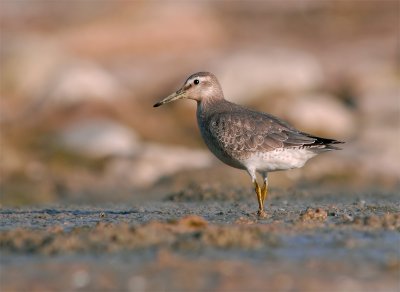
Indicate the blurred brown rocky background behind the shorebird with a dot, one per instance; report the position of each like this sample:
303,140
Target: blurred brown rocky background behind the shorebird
79,78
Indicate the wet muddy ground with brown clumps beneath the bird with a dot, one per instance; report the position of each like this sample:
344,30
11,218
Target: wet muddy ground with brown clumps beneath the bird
327,240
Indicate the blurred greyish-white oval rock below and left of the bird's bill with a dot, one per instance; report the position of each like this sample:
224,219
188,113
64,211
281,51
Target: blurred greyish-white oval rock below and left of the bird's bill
99,138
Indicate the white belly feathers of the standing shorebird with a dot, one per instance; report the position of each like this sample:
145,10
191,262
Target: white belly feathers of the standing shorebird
279,159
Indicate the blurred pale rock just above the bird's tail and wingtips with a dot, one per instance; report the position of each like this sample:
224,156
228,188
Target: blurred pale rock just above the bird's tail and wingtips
318,114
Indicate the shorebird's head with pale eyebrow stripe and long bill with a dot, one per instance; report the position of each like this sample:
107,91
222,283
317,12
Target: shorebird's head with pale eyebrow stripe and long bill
201,87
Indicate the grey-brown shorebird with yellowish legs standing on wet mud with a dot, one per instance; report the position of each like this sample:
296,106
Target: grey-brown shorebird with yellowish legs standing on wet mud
247,139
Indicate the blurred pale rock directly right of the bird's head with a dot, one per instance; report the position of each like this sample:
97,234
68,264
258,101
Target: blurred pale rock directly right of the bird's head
248,74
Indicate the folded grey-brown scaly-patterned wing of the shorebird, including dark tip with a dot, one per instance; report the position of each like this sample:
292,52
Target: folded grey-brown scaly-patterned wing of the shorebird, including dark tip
253,131
